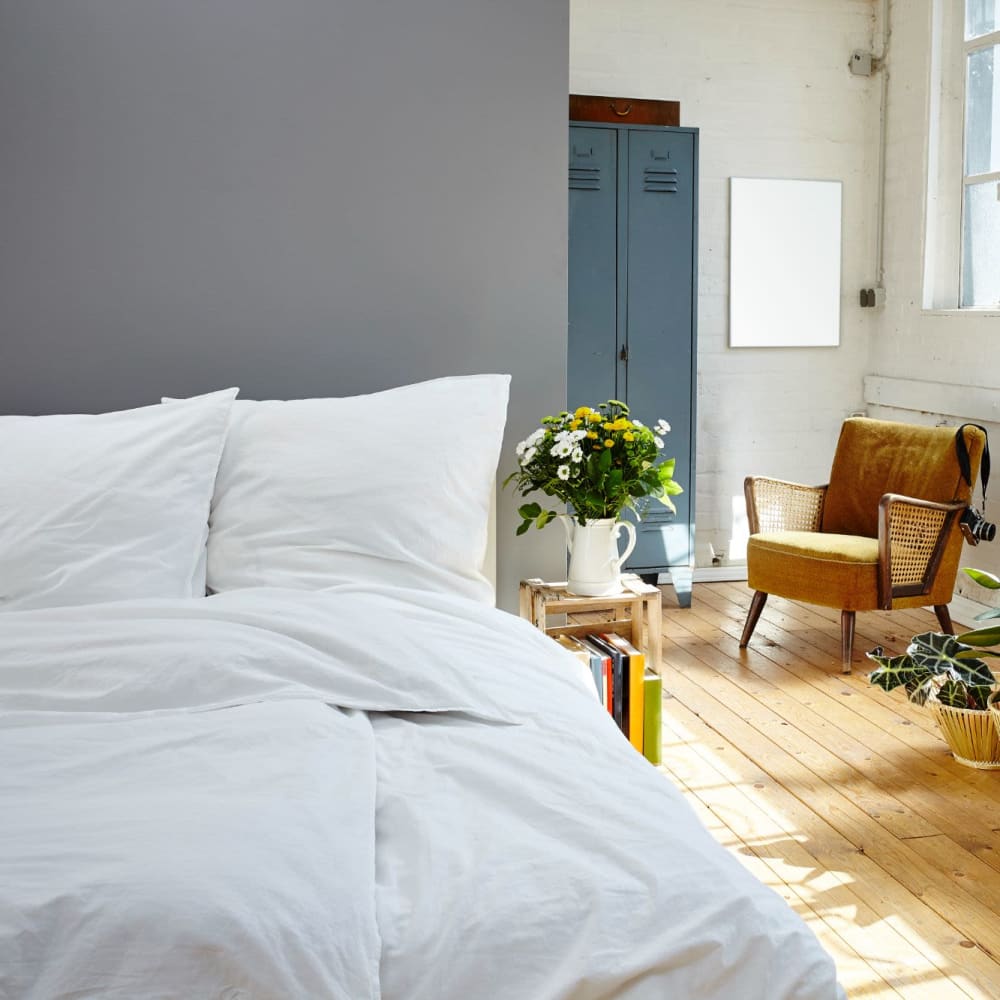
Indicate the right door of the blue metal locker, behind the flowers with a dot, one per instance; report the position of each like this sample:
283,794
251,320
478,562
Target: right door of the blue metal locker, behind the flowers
660,265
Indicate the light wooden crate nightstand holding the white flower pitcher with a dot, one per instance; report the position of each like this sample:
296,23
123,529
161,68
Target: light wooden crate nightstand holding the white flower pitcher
633,612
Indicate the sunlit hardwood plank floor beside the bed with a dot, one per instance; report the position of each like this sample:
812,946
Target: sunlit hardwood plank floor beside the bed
841,797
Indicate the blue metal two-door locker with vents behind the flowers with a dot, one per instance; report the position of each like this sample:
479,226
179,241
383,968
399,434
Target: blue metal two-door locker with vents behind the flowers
633,199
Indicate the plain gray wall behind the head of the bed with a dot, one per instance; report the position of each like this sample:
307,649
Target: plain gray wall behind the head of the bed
299,197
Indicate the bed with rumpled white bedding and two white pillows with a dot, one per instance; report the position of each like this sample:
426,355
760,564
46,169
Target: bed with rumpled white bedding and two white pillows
343,773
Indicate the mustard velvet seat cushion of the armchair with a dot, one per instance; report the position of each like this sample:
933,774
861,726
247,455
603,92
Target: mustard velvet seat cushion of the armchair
837,571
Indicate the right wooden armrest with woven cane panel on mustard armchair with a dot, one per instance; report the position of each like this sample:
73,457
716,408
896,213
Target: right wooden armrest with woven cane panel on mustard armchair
912,535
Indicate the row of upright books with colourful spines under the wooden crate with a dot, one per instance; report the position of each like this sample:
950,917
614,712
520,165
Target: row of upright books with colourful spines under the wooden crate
625,686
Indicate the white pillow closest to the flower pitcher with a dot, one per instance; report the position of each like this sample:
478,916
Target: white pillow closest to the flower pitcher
392,488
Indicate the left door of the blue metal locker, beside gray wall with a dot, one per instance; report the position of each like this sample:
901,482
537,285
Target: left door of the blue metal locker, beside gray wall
593,265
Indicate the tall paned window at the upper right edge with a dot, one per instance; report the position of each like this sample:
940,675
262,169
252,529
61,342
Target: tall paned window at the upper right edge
980,268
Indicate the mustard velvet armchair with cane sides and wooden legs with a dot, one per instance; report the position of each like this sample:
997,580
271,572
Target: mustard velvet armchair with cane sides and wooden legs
883,534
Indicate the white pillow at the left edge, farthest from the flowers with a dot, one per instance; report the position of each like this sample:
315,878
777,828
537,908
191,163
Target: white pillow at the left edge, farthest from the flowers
108,506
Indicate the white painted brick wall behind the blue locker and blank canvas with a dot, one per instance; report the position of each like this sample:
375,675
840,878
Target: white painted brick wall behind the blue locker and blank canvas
767,83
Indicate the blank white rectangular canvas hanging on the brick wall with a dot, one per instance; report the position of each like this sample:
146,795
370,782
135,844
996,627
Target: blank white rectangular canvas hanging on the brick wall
784,263
